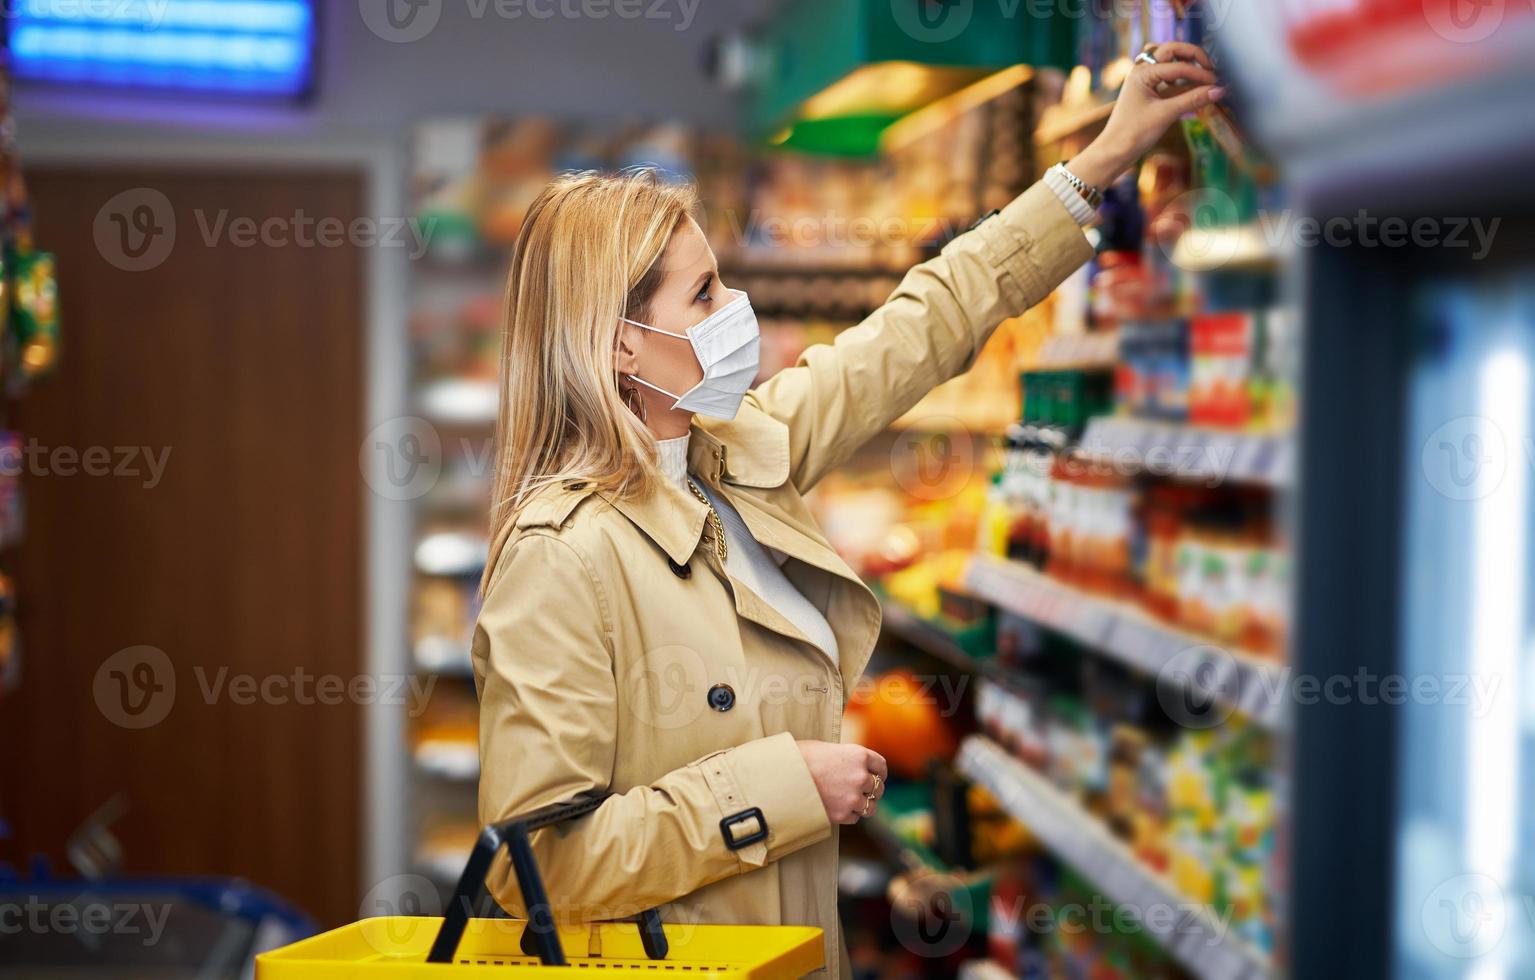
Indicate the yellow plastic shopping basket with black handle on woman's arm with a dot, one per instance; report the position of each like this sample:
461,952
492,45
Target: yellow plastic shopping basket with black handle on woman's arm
457,947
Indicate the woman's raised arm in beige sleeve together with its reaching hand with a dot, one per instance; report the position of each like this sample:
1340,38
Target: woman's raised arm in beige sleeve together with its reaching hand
842,396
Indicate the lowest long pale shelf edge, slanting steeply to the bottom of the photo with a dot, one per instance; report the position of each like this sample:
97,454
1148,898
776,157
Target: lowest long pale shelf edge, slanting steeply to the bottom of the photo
1193,936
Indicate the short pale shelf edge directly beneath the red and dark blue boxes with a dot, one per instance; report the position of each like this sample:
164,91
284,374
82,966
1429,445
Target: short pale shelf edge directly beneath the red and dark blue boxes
1187,452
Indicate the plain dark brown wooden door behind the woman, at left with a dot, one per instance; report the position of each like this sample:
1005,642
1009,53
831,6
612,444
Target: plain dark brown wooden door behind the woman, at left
222,374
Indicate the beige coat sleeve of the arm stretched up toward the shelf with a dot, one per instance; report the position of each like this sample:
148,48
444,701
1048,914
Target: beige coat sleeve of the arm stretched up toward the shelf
929,331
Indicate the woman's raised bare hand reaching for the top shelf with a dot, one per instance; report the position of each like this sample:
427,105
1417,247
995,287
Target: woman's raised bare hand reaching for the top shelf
1152,99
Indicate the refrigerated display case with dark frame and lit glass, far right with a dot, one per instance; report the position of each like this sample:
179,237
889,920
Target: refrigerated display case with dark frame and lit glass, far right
1413,847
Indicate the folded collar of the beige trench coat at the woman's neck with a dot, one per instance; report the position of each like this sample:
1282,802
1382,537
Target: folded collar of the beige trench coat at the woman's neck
751,451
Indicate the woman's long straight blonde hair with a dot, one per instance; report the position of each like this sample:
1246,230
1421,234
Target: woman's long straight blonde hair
589,254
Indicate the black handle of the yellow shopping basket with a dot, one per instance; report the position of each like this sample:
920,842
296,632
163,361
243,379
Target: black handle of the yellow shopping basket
540,938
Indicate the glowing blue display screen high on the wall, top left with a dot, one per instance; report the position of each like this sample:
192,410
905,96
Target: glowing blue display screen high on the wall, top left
222,47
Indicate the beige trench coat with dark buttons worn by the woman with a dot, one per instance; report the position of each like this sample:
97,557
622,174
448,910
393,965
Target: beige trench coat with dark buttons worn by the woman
609,623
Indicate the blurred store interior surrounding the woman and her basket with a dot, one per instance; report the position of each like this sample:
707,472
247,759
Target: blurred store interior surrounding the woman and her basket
1207,624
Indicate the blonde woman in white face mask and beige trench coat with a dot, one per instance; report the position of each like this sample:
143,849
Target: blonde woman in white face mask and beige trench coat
662,620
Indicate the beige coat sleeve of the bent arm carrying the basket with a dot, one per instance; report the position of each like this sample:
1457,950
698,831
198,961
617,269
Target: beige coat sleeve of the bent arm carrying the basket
549,732
